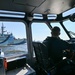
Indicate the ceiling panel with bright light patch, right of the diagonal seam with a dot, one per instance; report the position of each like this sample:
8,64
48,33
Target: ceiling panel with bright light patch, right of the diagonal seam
55,6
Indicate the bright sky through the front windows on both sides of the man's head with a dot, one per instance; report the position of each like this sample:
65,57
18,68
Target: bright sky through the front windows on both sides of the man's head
41,31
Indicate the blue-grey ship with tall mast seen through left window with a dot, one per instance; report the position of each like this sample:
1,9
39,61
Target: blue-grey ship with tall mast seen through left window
8,38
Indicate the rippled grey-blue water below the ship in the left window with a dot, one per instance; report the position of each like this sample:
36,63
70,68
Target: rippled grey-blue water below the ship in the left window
14,50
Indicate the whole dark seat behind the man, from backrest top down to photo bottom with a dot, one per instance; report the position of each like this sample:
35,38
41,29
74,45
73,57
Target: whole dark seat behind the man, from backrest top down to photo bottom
42,59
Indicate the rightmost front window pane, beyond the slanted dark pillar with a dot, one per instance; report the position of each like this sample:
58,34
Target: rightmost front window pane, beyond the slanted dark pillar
70,26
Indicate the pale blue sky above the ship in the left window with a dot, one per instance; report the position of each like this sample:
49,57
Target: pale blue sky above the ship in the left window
17,28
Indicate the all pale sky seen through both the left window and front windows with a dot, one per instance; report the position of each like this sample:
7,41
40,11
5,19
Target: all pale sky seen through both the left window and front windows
19,31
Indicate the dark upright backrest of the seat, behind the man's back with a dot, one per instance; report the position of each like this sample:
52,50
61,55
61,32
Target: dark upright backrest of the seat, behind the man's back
41,54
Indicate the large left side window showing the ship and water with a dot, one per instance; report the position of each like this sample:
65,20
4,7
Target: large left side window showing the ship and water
13,38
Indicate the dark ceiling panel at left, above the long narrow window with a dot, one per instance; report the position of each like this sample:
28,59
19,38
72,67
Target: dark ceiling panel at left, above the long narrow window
10,5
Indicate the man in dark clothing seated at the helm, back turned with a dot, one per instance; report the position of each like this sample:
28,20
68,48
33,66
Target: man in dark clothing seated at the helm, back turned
55,45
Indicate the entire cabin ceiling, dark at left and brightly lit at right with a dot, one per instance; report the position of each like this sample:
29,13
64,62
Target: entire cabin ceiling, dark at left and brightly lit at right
37,6
